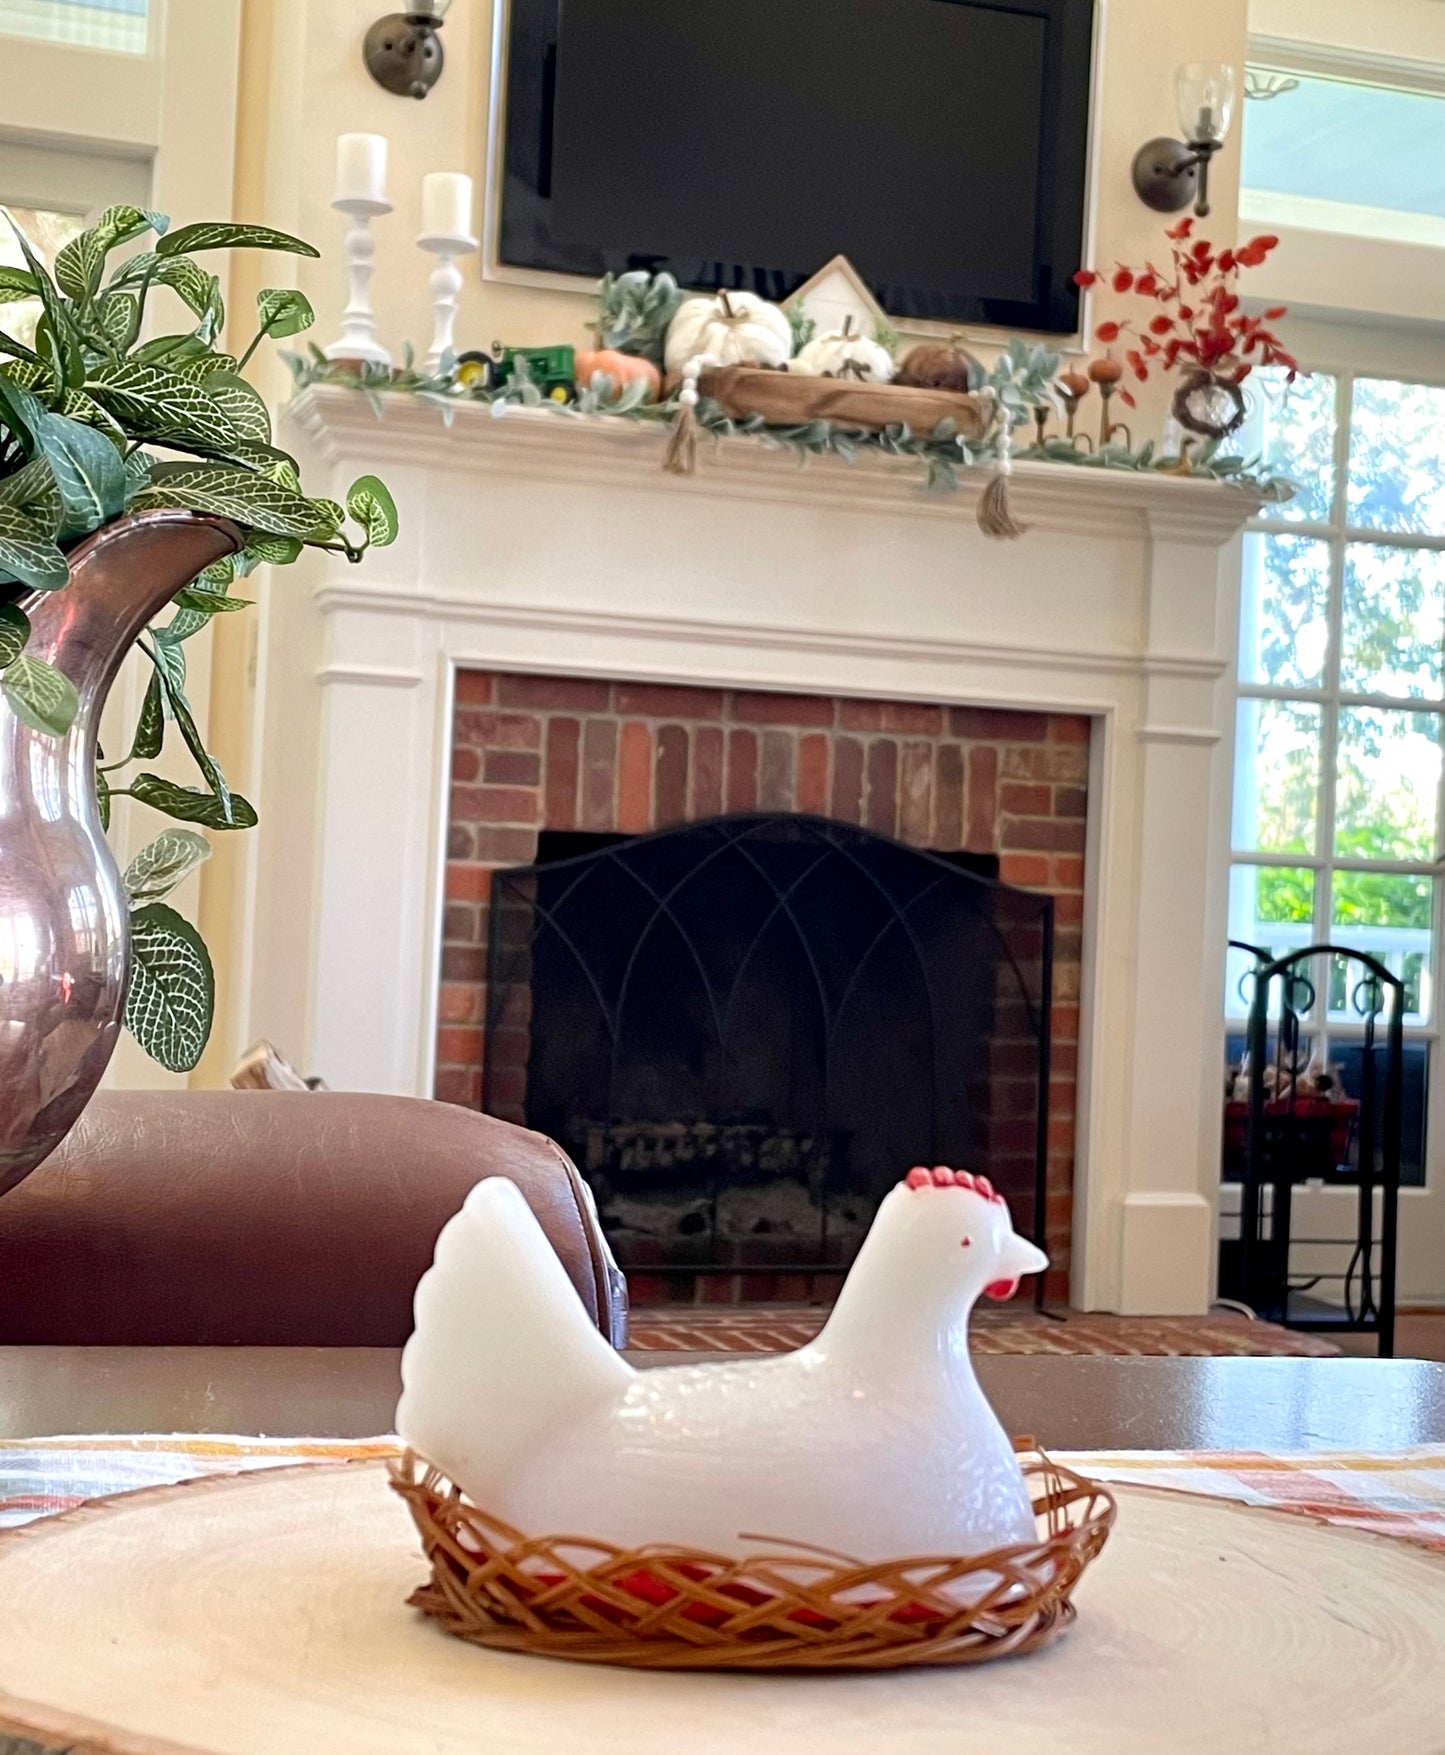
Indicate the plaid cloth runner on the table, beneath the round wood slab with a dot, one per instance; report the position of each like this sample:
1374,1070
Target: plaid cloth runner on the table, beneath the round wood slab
1390,1493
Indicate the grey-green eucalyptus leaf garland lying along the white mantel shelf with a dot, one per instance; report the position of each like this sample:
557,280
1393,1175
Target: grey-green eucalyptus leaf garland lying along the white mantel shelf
1021,382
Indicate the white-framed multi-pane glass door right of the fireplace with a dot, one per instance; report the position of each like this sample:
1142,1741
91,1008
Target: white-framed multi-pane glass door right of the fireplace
1342,692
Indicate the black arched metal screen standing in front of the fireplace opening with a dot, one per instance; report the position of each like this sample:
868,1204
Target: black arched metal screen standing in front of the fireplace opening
745,1031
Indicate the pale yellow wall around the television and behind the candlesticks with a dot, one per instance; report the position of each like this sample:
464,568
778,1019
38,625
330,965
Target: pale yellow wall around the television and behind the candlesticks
303,85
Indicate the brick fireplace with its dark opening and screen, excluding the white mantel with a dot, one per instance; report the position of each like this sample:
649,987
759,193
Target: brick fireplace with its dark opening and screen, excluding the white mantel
749,957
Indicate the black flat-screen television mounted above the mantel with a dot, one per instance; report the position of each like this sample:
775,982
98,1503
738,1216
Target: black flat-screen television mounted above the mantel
940,145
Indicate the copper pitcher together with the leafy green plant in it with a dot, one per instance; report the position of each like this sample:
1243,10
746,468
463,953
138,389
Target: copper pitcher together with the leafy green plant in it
133,475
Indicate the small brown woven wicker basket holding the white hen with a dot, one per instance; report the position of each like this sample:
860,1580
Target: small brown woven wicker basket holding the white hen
680,1608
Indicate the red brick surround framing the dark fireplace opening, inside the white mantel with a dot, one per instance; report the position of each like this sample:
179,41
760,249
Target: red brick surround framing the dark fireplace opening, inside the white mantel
549,752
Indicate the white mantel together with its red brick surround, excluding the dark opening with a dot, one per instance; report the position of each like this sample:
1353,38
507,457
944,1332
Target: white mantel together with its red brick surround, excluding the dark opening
605,648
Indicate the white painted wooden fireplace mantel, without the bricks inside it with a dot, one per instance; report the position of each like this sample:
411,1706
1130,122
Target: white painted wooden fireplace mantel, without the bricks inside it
554,543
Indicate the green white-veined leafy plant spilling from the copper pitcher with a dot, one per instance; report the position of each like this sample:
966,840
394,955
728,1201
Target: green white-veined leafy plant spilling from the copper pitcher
99,424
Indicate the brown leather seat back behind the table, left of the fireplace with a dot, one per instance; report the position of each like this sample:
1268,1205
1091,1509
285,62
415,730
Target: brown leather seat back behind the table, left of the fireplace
268,1219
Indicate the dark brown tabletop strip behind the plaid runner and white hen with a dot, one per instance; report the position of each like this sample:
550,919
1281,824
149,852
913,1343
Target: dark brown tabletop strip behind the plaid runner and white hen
1067,1403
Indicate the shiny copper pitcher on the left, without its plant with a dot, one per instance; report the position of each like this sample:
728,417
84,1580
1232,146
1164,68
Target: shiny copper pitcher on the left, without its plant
64,915
